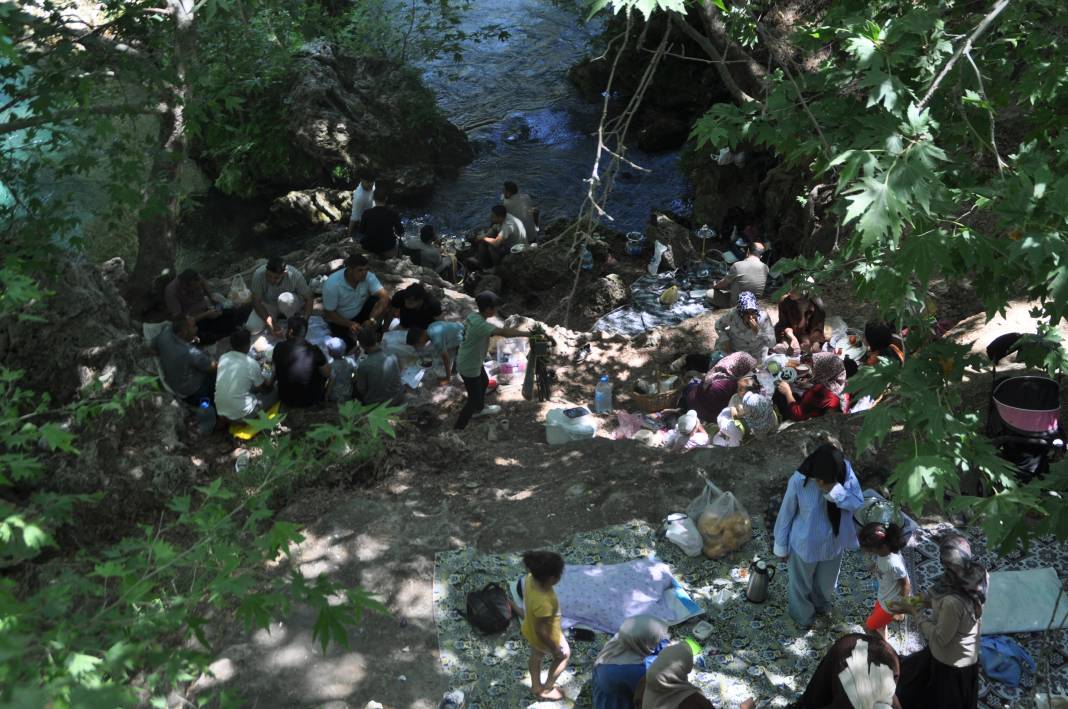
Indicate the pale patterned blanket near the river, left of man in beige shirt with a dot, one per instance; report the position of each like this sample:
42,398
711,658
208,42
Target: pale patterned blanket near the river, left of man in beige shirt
646,311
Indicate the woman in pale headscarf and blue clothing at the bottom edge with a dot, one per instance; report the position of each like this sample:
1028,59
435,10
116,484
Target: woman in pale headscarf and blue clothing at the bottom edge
624,660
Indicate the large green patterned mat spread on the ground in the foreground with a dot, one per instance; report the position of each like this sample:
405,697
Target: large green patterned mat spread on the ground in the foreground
755,651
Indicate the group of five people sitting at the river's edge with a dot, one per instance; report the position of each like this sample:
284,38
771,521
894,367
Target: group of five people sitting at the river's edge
514,222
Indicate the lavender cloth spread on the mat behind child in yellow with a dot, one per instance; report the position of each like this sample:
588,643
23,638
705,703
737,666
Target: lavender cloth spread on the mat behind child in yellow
601,598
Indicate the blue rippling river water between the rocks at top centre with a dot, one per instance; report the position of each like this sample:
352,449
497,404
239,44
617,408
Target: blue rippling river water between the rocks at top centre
536,129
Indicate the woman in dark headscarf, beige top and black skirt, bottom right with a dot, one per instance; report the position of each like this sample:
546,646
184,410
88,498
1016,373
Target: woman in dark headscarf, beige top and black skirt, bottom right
947,673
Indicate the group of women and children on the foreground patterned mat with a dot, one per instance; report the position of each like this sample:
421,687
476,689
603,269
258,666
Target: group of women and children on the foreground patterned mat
823,515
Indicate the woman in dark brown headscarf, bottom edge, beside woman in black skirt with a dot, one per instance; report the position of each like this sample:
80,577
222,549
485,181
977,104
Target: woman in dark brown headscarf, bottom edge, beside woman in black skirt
858,672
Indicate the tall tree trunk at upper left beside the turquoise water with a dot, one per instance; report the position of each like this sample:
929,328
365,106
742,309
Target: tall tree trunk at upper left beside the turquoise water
158,226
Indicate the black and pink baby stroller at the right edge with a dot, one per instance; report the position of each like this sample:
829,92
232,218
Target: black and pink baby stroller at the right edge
1024,417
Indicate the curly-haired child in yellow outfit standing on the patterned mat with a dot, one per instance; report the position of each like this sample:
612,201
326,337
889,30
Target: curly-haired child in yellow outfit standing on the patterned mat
542,622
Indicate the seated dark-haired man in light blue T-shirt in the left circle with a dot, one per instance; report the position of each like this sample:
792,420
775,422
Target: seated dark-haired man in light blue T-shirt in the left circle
353,298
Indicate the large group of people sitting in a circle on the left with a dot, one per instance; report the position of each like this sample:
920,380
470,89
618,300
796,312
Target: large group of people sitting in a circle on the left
355,307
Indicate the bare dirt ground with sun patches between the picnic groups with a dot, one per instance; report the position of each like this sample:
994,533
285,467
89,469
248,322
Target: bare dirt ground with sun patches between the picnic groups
449,491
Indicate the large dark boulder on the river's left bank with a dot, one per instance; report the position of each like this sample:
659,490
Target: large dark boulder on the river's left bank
365,114
